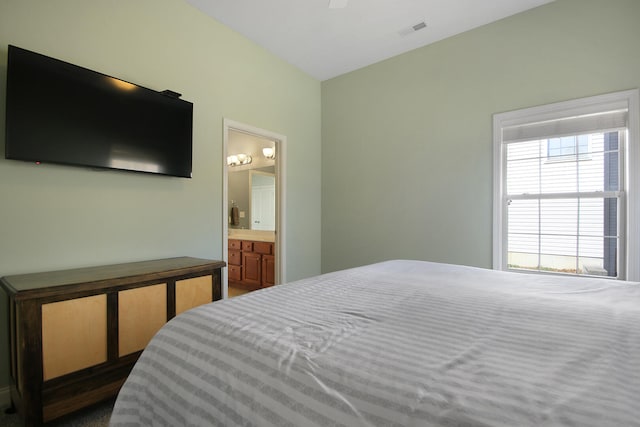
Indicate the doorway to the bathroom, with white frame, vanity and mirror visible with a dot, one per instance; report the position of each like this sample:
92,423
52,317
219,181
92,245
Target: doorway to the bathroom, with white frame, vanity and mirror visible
253,208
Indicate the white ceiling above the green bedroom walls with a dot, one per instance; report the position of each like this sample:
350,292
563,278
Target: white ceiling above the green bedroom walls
326,42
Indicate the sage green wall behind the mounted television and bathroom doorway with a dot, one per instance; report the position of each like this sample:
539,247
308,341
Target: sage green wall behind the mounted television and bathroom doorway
56,217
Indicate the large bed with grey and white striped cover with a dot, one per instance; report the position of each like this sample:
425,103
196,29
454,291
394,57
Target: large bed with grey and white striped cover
398,343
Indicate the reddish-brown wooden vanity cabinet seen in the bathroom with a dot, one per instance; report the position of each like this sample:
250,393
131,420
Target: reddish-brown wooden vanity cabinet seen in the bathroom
251,264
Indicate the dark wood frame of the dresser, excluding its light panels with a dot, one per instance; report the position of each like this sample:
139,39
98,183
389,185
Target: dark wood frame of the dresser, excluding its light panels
40,401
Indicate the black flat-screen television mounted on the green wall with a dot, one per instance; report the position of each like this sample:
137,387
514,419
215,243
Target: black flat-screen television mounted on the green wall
61,113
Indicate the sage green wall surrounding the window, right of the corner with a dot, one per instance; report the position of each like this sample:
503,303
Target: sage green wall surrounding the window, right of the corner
407,143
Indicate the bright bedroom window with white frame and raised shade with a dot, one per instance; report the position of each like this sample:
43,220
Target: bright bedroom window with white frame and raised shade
565,196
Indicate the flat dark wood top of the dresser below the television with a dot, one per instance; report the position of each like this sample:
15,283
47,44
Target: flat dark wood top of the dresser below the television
142,270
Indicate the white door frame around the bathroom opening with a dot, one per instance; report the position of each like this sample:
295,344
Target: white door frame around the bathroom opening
280,233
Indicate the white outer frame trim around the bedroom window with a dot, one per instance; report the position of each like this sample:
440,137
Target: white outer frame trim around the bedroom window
629,99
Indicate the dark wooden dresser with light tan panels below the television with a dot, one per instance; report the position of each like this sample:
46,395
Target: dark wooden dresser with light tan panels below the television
76,334
